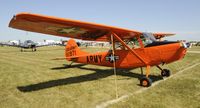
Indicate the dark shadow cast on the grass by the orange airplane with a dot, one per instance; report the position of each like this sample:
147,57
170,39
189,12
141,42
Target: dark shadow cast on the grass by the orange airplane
98,74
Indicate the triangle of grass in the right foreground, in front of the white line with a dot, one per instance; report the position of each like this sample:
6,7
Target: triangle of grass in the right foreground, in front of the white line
178,92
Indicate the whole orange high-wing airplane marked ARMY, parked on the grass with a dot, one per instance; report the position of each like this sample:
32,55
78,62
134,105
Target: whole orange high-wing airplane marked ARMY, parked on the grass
130,48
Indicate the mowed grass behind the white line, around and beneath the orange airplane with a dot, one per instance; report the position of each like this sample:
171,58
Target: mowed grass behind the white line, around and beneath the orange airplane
32,79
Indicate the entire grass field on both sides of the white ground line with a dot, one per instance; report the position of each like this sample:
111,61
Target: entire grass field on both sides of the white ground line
33,80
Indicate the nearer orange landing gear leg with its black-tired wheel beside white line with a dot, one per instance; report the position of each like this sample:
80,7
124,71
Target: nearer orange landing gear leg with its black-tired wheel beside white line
145,81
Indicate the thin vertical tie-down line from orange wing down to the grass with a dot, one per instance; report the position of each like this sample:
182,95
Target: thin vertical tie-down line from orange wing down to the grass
114,65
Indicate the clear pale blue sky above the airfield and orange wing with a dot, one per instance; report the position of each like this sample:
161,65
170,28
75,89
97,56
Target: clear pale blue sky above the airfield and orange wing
181,17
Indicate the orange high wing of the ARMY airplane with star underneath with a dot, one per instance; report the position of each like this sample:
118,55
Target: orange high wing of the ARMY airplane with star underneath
71,28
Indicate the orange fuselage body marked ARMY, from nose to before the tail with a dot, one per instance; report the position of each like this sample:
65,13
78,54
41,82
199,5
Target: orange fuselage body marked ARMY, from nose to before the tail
154,55
